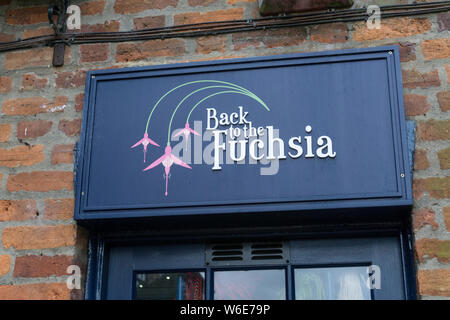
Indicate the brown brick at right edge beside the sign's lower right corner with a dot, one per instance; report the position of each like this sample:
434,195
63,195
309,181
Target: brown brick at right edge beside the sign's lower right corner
437,188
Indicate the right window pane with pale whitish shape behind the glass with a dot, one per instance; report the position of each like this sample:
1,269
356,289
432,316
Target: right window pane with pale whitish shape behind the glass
342,283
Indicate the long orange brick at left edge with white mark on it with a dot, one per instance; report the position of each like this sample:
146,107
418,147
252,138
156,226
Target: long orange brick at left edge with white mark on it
33,105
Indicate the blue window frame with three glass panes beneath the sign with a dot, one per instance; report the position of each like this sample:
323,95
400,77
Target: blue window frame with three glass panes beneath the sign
344,259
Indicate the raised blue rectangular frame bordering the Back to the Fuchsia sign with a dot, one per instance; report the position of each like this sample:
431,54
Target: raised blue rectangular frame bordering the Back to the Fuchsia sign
399,200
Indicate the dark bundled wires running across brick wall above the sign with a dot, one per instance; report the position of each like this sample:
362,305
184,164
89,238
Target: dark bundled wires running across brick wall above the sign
224,27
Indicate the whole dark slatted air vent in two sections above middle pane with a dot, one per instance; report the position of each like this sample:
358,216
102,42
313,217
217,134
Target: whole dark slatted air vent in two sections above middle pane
247,253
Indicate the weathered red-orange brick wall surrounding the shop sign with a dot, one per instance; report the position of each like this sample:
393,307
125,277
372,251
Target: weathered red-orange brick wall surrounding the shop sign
41,109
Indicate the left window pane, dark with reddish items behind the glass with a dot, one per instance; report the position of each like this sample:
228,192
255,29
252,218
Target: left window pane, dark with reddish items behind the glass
170,286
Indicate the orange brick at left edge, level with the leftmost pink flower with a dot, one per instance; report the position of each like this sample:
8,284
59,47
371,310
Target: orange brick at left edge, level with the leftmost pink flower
21,156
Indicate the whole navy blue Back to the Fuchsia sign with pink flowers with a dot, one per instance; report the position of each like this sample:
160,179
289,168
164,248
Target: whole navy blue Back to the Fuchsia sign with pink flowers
297,132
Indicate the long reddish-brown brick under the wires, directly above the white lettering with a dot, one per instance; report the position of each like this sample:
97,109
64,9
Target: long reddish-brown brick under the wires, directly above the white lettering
271,38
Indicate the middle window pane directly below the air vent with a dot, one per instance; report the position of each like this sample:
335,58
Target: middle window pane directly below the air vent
250,285
